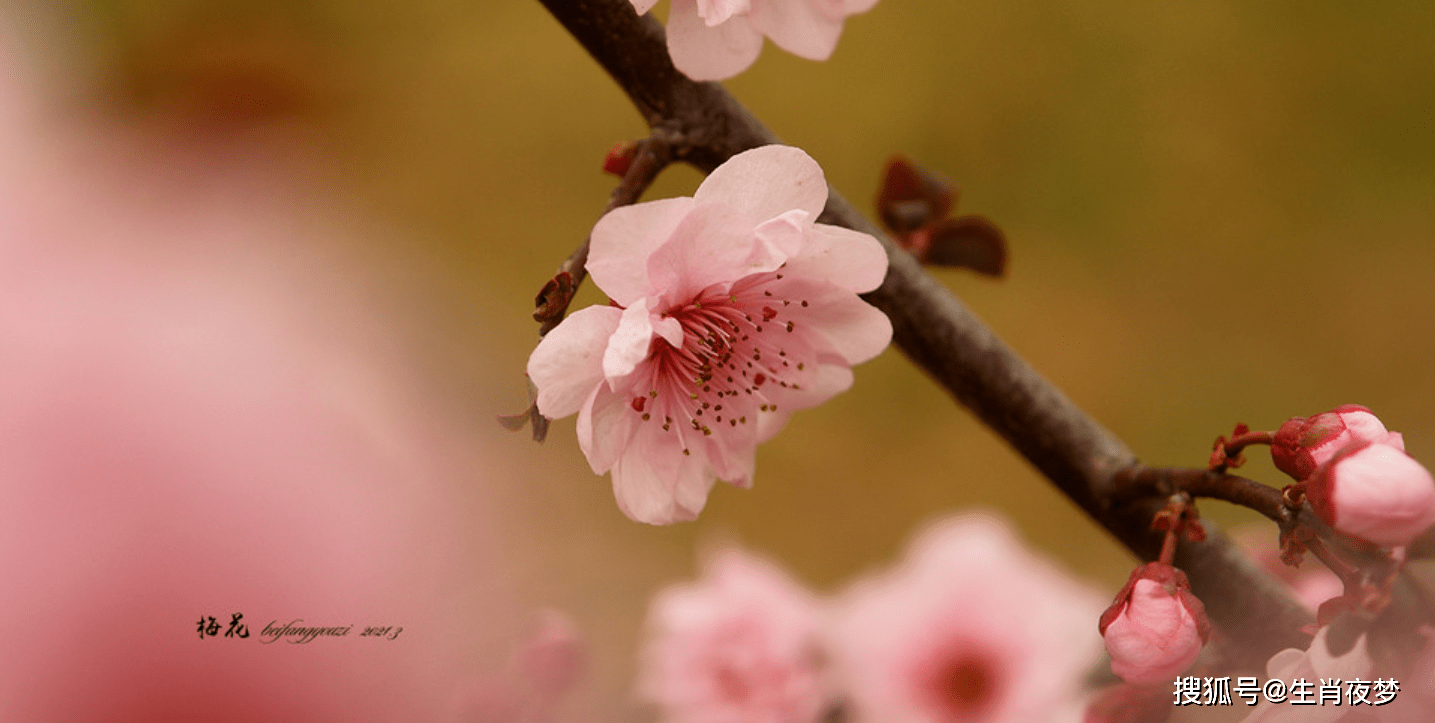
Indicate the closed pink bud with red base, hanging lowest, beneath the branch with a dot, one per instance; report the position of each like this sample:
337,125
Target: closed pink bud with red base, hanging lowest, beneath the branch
1157,628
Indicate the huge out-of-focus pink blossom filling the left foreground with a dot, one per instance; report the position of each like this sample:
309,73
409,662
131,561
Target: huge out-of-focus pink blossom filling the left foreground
203,418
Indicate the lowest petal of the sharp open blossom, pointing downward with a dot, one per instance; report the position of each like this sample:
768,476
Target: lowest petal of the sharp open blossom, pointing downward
657,484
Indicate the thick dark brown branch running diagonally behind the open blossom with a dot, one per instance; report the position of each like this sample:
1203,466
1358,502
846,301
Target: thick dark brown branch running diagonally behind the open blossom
945,339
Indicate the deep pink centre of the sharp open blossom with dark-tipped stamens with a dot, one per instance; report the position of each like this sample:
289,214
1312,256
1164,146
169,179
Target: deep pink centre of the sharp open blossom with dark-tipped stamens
738,354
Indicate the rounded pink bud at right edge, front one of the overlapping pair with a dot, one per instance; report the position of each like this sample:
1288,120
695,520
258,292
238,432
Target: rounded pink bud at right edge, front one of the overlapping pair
1375,493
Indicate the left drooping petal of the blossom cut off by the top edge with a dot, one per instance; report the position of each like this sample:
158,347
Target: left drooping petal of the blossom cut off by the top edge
710,54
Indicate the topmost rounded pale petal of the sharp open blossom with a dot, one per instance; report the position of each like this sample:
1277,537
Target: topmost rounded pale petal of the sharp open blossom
767,183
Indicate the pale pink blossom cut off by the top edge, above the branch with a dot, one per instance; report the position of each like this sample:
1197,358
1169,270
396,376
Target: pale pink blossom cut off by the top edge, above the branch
718,39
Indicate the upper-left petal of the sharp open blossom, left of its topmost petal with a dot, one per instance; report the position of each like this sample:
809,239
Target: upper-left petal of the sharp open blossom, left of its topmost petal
625,239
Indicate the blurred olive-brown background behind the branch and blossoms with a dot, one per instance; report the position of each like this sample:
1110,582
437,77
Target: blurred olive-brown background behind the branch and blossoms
1218,213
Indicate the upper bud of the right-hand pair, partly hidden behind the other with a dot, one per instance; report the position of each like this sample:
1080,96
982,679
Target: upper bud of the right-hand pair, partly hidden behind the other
1305,444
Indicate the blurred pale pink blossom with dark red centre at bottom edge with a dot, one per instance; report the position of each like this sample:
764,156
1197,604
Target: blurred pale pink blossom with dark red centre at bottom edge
971,628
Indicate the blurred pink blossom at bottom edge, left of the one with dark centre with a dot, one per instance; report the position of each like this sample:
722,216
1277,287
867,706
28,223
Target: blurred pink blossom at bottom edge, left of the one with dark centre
740,646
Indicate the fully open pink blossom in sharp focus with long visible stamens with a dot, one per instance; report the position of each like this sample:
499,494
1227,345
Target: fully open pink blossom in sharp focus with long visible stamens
733,309
